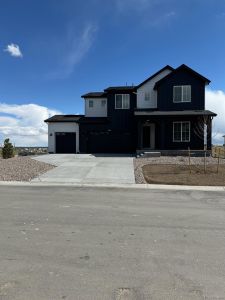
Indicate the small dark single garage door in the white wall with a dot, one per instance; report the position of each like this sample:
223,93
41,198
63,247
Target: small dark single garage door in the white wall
65,142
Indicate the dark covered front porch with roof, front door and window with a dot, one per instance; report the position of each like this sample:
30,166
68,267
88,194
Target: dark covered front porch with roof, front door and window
173,130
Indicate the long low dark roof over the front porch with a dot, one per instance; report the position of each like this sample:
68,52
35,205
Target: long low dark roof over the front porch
175,113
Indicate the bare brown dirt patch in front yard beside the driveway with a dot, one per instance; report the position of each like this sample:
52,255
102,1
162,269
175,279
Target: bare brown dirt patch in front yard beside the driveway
180,174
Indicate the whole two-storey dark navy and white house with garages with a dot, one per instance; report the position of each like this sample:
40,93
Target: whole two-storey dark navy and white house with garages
164,112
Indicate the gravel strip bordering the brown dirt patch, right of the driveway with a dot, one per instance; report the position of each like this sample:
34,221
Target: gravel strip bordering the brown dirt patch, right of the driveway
178,160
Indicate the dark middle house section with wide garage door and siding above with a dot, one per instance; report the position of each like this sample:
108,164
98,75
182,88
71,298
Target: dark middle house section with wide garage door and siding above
117,135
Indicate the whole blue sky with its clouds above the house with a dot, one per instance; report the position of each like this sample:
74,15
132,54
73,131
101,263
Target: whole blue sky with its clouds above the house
52,52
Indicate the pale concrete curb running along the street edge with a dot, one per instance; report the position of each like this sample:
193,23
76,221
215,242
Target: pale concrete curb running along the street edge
118,186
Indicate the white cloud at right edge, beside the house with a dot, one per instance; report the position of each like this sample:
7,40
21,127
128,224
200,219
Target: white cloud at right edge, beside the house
215,101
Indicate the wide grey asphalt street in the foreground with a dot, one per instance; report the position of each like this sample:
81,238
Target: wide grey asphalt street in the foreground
122,244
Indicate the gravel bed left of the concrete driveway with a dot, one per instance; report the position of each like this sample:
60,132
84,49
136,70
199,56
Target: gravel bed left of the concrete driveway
21,169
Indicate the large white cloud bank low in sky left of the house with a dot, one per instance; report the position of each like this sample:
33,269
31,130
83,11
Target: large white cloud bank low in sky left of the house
24,124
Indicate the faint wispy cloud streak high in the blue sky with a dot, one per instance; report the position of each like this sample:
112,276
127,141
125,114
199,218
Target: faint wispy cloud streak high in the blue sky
75,48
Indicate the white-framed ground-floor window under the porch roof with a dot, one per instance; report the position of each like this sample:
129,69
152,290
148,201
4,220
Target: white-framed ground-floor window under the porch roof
181,131
